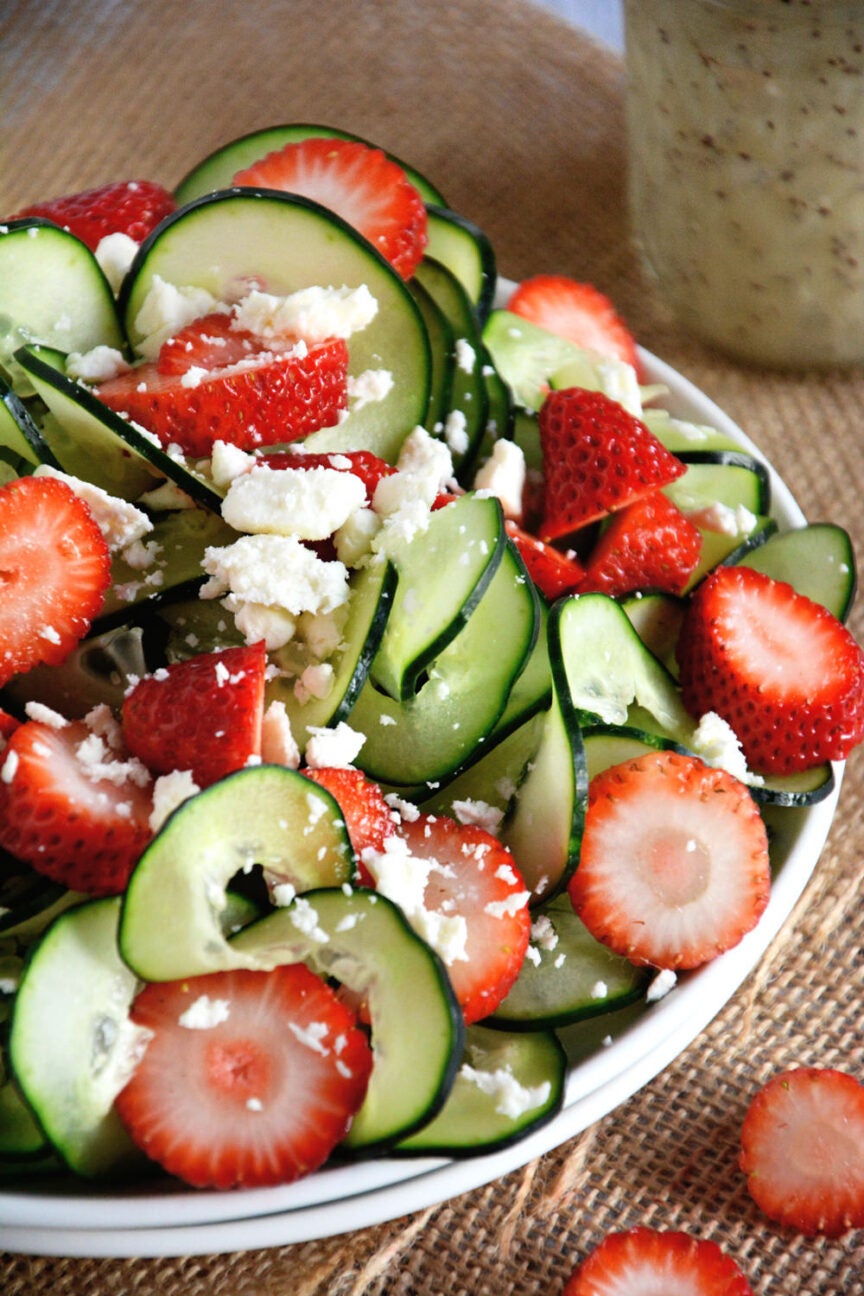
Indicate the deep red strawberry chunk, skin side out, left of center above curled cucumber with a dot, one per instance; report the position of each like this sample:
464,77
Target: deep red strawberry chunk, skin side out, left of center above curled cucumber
203,715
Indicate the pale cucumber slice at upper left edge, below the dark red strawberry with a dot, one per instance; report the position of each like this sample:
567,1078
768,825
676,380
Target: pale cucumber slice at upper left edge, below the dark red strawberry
52,291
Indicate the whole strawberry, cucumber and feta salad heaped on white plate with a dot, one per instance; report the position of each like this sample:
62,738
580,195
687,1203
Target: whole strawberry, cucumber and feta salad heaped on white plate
389,681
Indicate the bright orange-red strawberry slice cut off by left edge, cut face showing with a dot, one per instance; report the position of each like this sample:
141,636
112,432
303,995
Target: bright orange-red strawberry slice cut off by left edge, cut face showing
55,570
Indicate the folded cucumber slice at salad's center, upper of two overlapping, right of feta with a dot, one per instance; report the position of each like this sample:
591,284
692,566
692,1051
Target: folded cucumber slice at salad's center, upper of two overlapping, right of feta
436,597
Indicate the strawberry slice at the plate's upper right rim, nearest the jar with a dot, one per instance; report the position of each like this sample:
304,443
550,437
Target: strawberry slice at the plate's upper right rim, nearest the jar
577,312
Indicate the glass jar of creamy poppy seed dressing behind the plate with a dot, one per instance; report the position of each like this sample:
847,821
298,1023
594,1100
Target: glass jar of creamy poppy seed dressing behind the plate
747,172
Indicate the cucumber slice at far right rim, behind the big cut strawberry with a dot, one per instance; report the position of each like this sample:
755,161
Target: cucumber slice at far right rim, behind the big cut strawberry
818,561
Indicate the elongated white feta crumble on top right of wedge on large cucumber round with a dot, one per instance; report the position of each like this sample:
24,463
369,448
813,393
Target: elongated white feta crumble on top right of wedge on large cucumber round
313,314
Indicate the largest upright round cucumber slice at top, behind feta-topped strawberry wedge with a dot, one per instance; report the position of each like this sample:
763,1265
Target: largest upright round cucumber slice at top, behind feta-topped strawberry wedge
229,240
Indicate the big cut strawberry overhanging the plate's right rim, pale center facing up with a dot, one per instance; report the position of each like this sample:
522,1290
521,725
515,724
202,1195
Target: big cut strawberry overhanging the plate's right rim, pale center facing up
786,675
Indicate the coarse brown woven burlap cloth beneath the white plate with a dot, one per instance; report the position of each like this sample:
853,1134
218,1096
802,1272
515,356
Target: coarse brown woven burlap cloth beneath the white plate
519,120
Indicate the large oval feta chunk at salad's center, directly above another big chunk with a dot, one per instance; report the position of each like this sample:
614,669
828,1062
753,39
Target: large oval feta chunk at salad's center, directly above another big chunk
309,503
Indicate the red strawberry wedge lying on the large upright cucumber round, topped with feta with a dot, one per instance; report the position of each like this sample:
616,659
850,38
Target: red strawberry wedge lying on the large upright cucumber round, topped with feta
266,399
